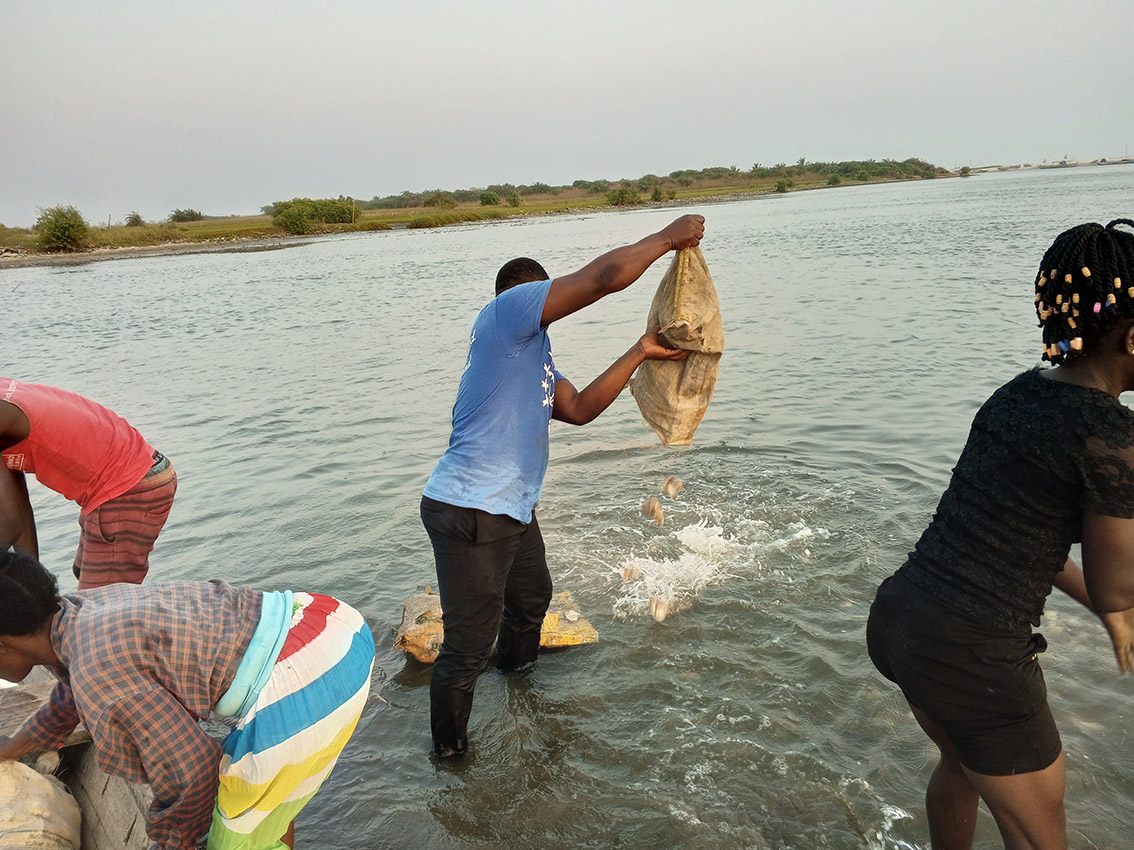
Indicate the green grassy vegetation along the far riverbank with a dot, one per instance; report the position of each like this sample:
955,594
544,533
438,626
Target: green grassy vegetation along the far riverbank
438,208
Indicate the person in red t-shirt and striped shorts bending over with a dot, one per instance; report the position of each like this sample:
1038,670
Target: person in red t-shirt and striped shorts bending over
91,455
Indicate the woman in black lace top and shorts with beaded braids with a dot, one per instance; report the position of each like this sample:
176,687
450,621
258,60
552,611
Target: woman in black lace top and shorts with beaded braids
1050,463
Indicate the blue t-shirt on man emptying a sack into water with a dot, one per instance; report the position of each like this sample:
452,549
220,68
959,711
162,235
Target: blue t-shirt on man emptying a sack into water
498,450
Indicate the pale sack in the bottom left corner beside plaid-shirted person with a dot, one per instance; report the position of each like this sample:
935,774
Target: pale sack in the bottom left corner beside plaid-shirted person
37,813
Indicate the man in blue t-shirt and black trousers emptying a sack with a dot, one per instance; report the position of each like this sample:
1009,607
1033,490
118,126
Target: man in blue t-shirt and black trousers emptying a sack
480,501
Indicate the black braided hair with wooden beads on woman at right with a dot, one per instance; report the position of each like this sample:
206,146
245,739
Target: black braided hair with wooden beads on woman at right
1086,287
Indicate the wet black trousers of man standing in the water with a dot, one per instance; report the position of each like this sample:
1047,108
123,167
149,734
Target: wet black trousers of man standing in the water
495,586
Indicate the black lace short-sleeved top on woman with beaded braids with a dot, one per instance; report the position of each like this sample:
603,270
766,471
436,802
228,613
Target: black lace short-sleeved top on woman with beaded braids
1039,454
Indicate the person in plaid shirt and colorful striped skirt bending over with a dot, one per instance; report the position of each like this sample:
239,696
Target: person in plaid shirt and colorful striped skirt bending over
140,666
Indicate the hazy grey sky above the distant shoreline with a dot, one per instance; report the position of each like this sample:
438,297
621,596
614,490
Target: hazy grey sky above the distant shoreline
226,106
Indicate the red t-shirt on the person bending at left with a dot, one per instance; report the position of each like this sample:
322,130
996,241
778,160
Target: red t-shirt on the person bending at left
75,446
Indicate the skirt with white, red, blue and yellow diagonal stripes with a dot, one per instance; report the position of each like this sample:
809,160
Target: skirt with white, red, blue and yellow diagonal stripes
282,751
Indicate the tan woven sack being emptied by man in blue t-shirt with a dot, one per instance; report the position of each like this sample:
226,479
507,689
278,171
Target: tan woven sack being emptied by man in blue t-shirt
674,395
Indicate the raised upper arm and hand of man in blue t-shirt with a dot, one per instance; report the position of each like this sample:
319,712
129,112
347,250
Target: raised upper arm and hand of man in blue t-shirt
617,269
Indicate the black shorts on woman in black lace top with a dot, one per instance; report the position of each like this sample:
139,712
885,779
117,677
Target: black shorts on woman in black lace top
984,687
